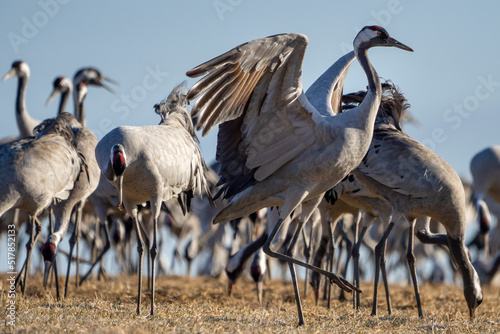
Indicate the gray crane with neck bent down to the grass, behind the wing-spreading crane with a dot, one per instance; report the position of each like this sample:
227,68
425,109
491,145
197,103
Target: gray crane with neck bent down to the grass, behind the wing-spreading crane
417,182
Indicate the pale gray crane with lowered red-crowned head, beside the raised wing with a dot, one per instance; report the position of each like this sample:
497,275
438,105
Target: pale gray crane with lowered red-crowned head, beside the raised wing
154,163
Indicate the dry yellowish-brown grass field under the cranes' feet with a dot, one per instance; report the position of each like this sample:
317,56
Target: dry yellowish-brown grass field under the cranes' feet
200,305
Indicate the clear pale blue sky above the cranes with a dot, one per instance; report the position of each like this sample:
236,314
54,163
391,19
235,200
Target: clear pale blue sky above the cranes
452,80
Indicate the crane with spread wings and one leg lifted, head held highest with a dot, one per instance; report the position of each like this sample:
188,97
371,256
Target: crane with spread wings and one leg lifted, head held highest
274,147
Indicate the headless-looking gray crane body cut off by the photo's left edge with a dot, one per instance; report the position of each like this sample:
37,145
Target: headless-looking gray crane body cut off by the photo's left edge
34,171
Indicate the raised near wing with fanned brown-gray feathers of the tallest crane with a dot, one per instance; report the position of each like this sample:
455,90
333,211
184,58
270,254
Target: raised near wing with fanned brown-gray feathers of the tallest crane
254,92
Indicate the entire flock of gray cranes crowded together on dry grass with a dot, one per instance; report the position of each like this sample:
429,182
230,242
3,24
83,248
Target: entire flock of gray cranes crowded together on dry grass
289,161
